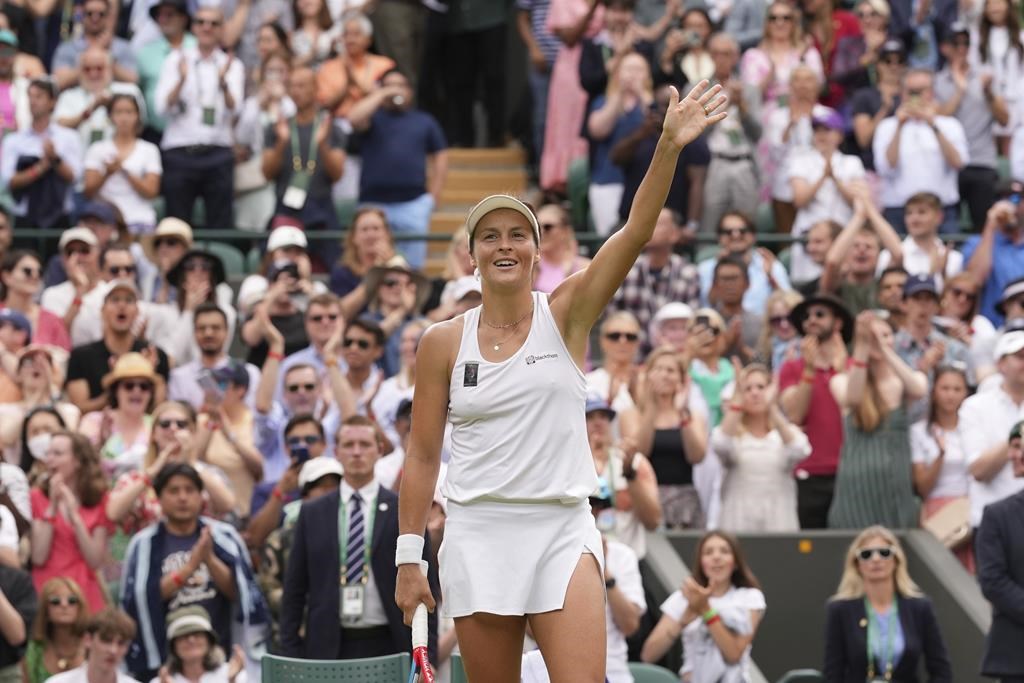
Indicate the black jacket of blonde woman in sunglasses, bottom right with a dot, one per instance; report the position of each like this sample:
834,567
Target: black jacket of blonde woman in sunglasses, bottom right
846,645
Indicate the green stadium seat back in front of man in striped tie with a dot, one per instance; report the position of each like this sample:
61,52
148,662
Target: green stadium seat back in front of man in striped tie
391,669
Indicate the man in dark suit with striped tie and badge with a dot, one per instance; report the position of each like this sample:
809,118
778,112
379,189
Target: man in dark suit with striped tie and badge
342,568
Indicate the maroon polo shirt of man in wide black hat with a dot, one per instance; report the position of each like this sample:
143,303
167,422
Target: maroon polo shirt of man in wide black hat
824,423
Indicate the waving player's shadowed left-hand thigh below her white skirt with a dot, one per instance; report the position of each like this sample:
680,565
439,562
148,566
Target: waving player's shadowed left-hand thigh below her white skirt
492,647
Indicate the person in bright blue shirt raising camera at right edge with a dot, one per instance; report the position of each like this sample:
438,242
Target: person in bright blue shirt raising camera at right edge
996,259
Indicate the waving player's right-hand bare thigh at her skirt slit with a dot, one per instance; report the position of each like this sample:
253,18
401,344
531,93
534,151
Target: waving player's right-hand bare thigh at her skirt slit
573,639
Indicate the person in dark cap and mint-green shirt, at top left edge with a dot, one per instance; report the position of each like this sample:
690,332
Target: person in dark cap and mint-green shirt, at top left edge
174,19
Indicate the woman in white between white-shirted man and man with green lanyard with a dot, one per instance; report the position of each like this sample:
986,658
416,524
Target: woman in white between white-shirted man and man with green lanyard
255,197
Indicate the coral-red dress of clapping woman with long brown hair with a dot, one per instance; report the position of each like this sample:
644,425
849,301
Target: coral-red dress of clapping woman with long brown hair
66,560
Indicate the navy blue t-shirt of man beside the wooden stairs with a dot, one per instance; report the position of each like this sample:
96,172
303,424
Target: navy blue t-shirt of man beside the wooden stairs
395,153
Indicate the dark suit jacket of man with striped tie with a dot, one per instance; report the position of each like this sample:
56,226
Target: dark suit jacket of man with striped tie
312,591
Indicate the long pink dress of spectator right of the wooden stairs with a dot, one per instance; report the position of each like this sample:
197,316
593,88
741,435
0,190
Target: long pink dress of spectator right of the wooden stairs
567,99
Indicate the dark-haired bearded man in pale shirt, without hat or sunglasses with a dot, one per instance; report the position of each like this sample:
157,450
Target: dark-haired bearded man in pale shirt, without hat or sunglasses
210,325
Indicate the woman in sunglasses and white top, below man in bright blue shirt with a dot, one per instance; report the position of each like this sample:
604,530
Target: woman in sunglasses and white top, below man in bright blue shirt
959,319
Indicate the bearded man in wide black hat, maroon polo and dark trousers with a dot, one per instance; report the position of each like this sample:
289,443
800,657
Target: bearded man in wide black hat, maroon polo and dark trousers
828,327
